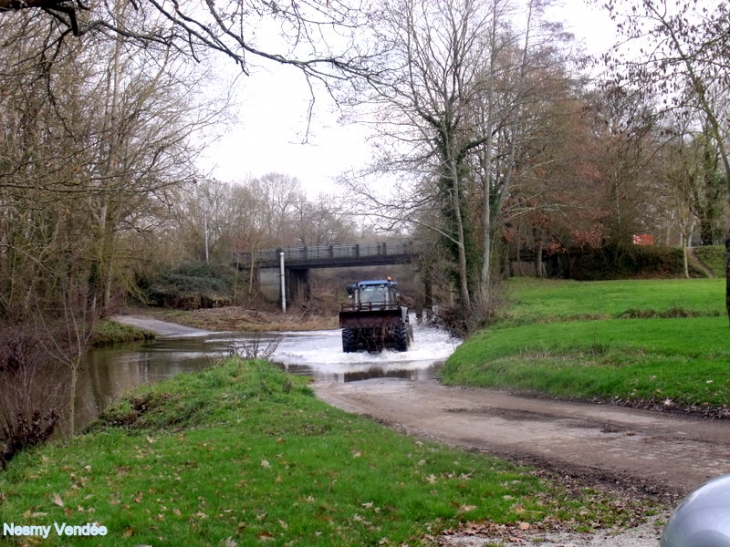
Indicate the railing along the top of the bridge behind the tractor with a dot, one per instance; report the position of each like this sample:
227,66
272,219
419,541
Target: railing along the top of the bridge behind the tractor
321,253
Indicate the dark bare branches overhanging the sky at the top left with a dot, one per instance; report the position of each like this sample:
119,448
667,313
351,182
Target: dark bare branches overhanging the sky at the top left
316,36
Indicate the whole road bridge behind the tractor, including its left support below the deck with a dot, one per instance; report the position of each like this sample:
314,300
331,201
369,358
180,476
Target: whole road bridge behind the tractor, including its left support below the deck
289,267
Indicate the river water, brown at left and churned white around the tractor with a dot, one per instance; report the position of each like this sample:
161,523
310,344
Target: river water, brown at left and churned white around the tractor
110,372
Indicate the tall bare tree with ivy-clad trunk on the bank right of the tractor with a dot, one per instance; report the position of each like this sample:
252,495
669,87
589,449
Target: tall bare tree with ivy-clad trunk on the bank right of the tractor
451,108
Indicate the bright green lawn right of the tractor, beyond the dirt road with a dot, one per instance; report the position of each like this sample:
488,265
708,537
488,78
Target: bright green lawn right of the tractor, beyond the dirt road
659,342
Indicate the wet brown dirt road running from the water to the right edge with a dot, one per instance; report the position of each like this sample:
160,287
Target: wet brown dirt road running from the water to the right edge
648,451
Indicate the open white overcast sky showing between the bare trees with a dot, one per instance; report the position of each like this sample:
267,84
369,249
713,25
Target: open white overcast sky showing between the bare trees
273,119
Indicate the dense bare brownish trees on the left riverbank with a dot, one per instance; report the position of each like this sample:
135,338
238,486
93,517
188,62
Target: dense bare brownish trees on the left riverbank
91,152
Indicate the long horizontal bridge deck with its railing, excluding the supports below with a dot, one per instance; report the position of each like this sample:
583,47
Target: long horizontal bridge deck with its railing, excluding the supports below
333,256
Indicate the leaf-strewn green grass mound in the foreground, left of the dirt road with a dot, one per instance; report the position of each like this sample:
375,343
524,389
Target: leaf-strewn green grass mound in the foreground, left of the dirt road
242,454
